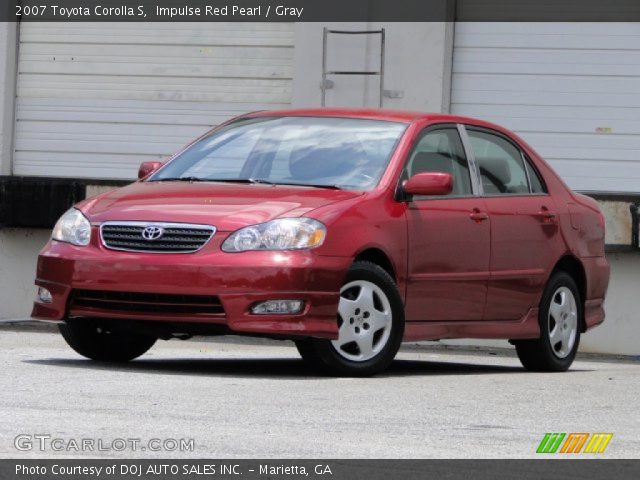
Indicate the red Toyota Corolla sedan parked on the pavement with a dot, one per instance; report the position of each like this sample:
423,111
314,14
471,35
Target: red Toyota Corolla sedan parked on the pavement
347,231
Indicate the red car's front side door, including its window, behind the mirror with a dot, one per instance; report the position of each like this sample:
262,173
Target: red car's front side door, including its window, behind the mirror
449,236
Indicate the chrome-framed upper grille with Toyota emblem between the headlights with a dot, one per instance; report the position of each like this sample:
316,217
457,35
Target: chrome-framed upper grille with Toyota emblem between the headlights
141,236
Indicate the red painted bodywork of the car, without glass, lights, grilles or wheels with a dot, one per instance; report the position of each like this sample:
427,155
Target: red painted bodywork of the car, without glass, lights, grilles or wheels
466,267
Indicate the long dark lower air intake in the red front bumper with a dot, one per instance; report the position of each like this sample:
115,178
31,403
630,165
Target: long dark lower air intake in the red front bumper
133,302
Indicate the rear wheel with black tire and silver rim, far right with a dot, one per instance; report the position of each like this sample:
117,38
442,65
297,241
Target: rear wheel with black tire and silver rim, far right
560,316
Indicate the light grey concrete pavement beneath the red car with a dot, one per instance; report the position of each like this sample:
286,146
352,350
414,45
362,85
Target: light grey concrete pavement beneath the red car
238,400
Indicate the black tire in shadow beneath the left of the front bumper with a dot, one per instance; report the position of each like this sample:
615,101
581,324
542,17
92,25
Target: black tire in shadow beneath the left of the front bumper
91,340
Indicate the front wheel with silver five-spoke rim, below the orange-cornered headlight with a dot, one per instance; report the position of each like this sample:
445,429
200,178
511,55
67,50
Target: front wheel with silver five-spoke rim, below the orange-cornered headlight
370,325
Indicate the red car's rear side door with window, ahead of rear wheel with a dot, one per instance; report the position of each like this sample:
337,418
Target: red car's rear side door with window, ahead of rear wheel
524,228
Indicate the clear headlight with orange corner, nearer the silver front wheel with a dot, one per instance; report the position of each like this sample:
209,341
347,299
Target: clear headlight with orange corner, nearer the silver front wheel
280,234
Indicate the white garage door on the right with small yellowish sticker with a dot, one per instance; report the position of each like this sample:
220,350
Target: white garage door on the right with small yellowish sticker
571,90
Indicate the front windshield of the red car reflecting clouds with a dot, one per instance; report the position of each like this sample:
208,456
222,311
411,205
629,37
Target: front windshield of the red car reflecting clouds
318,151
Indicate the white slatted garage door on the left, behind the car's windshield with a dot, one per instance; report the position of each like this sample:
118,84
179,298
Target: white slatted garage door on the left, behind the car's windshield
96,99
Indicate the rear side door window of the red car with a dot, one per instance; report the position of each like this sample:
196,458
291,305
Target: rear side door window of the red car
502,169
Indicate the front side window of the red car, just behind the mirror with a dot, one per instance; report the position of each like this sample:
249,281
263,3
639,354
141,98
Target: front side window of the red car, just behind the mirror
441,151
